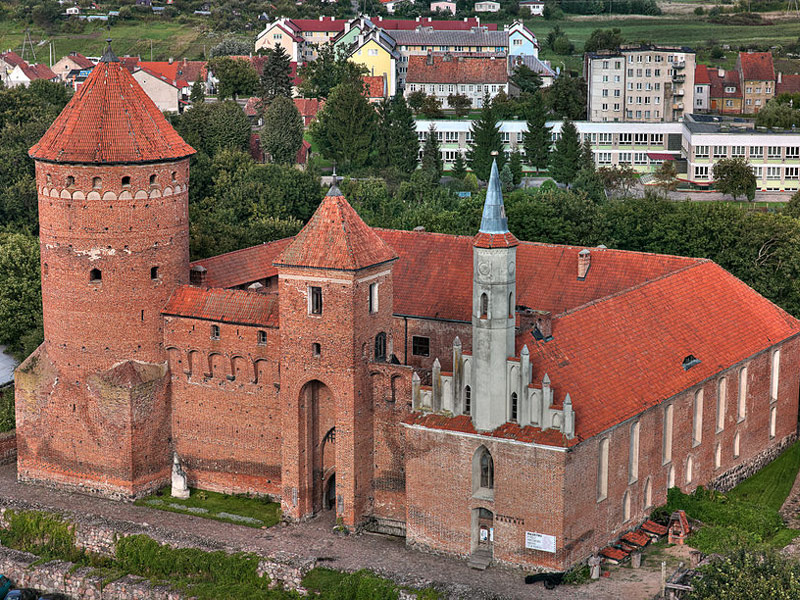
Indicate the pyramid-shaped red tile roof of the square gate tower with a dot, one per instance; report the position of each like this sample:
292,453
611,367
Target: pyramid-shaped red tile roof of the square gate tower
336,238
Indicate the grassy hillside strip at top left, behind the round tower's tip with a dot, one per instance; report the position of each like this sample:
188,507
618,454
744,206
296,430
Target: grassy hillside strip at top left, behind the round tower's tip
169,38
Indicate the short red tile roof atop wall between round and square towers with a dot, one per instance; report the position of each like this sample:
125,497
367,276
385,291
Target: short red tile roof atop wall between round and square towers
226,306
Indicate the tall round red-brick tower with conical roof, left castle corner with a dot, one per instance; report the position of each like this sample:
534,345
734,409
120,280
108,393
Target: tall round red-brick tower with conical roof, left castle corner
112,178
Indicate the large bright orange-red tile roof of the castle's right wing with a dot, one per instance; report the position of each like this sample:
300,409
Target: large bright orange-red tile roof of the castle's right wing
620,355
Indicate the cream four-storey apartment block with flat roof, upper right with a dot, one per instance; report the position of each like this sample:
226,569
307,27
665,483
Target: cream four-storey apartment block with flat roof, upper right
643,84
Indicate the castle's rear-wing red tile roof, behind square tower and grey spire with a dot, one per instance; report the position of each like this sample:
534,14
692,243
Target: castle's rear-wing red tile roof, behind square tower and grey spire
433,277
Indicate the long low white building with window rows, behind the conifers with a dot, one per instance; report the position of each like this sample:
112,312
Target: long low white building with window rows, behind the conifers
695,144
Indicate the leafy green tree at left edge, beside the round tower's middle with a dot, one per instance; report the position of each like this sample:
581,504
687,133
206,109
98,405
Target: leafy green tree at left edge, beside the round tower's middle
20,290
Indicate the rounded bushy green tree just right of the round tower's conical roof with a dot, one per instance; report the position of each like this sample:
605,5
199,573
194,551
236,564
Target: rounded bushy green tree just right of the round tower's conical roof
213,126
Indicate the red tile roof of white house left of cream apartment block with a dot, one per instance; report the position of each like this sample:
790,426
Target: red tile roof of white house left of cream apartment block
454,69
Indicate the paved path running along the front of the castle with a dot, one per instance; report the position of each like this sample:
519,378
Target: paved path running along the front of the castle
383,554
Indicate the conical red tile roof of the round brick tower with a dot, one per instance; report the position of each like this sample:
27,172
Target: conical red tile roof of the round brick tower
110,120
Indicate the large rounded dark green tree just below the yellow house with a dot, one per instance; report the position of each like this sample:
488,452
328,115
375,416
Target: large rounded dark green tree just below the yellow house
345,129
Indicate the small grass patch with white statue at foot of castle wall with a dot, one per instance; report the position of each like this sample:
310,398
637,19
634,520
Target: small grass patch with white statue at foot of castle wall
237,509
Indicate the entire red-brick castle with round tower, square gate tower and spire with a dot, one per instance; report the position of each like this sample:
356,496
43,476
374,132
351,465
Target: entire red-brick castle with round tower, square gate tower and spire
526,401
